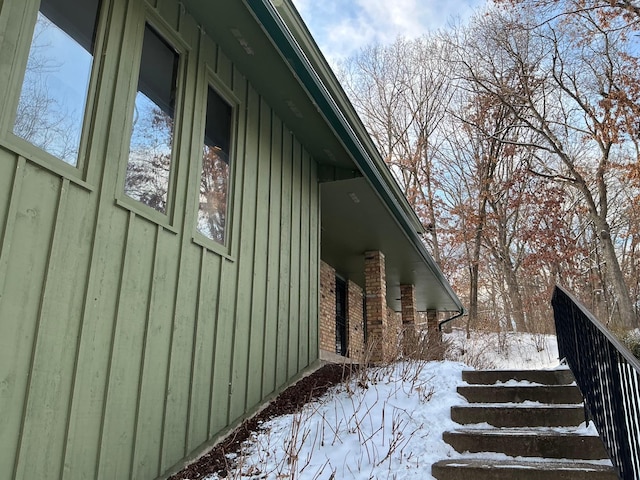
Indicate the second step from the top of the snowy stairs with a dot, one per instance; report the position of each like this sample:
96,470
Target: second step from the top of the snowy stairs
520,393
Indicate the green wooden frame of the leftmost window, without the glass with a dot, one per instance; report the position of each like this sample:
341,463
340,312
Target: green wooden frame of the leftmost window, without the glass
24,18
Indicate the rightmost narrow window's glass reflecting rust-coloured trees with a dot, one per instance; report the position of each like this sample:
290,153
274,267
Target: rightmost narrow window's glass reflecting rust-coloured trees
214,181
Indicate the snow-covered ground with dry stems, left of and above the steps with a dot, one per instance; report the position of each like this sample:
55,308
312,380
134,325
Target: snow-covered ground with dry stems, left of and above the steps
387,422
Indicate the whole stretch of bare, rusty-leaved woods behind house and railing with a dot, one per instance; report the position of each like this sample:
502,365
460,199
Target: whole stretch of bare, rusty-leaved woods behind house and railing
516,138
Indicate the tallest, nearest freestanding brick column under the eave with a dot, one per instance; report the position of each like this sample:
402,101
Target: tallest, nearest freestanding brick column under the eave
376,294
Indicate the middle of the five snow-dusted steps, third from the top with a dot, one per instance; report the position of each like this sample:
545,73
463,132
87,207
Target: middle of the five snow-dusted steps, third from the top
519,415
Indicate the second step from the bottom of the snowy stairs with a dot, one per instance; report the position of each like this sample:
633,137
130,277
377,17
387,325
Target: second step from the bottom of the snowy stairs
517,442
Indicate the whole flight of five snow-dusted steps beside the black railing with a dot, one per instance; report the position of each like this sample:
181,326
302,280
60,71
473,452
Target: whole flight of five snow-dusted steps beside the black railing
523,425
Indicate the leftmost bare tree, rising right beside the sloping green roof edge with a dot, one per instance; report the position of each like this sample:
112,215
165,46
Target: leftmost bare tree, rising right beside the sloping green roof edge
402,92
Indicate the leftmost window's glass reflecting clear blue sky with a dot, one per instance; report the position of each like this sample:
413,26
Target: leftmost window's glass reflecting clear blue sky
56,82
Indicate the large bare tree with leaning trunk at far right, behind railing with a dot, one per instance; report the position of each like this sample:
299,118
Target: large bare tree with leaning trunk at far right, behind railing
565,89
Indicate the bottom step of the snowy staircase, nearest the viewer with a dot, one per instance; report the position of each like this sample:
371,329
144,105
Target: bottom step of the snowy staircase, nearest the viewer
487,469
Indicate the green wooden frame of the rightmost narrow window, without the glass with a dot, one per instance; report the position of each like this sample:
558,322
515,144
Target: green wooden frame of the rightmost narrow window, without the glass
212,81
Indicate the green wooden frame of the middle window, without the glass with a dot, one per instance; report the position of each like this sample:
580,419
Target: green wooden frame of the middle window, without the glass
168,219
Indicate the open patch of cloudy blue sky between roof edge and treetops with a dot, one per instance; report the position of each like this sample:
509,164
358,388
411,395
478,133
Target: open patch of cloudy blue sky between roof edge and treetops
342,27
